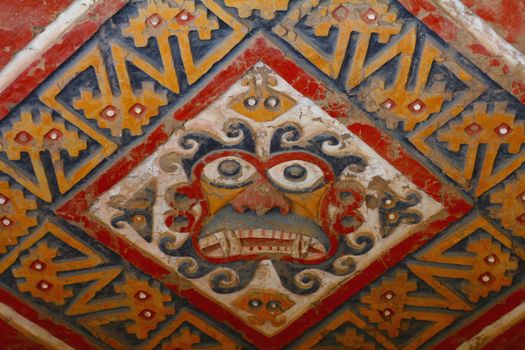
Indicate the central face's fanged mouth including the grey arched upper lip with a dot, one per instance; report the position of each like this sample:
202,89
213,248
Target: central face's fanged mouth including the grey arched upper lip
229,234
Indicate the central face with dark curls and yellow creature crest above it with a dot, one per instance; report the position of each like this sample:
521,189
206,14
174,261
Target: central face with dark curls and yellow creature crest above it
273,193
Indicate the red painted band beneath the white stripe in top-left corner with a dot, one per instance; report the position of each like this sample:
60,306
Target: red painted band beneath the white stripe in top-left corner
56,54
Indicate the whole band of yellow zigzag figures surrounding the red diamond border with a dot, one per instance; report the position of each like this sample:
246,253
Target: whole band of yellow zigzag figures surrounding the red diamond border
381,60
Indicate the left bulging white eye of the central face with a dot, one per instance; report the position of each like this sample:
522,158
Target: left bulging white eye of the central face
229,172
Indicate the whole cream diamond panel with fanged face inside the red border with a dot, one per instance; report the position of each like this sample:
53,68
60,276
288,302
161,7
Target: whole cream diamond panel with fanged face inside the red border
264,175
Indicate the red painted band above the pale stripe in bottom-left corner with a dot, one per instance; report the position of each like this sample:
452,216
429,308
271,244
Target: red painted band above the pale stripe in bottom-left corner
60,331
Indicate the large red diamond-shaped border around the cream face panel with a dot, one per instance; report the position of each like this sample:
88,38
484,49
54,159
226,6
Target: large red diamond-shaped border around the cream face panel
75,209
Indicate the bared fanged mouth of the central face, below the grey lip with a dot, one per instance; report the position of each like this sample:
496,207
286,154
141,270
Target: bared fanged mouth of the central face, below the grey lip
235,243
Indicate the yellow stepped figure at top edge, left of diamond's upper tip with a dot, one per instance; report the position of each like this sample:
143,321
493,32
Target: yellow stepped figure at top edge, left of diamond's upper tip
180,18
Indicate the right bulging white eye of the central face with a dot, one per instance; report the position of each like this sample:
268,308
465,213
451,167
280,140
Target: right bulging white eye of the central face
296,176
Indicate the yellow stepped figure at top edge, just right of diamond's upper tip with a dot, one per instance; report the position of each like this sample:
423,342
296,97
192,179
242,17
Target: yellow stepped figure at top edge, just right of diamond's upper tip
364,17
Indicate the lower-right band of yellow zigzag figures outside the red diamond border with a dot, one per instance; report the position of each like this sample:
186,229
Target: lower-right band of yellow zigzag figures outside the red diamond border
390,310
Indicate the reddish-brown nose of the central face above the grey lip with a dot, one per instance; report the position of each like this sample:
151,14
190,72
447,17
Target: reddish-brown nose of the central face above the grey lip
260,197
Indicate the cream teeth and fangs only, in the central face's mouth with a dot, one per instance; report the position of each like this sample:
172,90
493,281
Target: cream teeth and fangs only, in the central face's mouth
231,245
